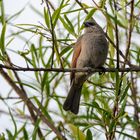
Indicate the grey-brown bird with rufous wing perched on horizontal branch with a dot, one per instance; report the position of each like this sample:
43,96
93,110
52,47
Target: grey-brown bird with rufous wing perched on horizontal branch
90,51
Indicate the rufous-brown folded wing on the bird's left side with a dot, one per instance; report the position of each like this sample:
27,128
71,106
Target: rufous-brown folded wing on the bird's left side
76,53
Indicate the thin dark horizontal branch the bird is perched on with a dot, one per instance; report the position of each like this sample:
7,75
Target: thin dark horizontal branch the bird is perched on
131,69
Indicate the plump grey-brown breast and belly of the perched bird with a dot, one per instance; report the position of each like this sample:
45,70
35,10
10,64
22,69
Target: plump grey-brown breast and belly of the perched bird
94,48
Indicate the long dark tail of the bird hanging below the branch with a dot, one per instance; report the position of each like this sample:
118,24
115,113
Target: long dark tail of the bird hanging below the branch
73,99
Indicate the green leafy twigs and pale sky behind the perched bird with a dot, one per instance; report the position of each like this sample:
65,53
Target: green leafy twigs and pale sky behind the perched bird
41,34
